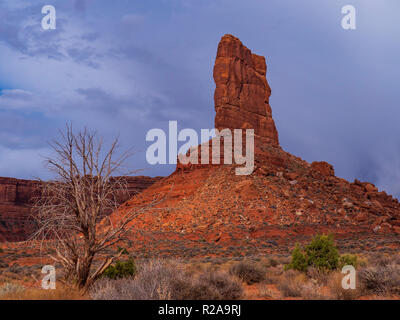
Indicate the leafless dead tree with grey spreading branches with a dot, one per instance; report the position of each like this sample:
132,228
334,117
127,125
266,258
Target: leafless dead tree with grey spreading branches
73,209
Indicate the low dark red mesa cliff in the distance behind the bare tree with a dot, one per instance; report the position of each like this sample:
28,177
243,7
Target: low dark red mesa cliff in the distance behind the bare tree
16,197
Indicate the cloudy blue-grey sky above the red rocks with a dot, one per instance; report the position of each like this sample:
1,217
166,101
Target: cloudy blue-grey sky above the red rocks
127,66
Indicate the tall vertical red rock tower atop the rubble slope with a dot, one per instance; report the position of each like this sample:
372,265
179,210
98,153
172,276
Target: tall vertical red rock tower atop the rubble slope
242,91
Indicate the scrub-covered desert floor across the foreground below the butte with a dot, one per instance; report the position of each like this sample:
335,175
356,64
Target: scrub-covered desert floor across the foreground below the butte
218,278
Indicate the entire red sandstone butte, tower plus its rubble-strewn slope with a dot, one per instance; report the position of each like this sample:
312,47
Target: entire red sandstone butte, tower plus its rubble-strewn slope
207,210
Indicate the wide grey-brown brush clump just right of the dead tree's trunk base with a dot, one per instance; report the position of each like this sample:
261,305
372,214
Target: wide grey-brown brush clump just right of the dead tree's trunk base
161,280
